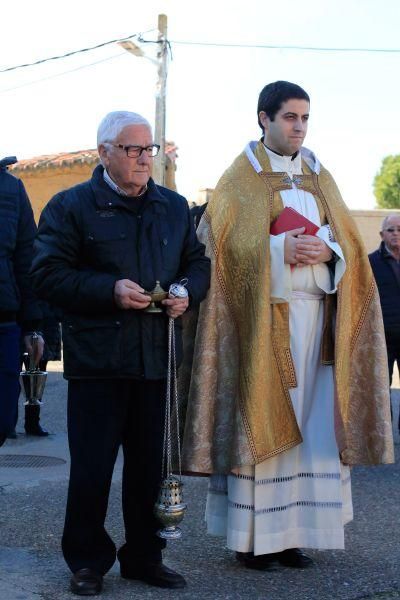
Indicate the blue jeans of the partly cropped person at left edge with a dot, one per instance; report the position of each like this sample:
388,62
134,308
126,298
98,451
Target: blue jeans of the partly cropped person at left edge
10,368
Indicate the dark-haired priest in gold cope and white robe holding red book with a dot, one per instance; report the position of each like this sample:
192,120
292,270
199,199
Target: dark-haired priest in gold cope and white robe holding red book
289,340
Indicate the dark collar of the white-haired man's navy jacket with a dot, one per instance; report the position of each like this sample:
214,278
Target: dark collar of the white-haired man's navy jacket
107,198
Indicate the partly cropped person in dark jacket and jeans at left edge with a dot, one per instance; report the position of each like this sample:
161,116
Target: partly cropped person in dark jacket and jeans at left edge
20,311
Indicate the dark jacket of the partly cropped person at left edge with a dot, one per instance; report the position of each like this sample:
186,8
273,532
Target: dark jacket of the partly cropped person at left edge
17,231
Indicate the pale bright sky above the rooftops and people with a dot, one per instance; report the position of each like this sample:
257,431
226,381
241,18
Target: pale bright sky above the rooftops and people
212,90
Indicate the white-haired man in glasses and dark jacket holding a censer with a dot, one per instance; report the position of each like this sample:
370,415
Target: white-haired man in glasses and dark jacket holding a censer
100,246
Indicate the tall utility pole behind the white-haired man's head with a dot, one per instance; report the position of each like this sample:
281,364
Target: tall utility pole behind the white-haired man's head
161,98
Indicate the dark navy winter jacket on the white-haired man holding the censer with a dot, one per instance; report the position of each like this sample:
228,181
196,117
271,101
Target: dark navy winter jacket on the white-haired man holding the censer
89,237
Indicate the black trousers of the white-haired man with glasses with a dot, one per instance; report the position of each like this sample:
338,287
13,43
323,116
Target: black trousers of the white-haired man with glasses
102,416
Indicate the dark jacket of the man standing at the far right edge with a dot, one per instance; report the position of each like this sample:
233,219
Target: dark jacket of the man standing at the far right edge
389,290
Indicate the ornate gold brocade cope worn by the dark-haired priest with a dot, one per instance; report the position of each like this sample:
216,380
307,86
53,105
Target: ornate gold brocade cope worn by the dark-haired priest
239,410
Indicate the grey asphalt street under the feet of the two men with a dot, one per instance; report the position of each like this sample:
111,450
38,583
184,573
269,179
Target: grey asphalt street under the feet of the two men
32,503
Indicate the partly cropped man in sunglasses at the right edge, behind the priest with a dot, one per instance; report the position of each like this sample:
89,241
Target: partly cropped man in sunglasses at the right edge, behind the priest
385,263
